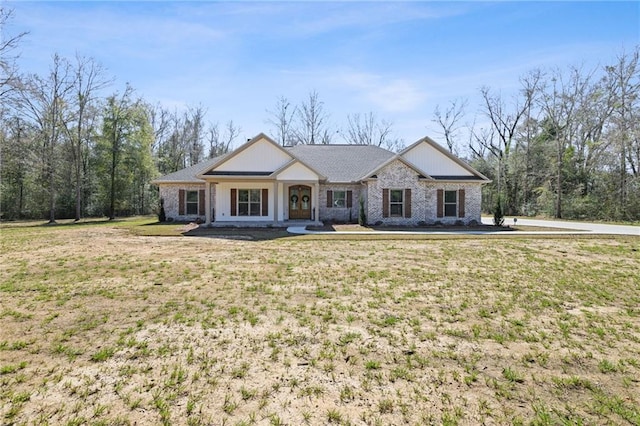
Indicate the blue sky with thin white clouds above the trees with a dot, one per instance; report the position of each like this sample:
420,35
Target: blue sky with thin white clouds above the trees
397,60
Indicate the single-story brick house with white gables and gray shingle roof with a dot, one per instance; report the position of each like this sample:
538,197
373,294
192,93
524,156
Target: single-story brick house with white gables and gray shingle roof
264,182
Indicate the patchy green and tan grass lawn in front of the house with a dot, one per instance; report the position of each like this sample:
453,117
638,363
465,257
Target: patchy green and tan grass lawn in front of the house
130,322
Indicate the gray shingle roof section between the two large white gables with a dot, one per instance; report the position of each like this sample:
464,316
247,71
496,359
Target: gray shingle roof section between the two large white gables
341,163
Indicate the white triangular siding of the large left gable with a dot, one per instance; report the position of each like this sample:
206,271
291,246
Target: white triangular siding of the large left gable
262,156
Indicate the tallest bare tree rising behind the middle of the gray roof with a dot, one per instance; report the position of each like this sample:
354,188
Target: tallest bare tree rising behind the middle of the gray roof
311,125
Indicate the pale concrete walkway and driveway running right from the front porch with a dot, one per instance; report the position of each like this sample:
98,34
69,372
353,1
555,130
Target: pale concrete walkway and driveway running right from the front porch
570,228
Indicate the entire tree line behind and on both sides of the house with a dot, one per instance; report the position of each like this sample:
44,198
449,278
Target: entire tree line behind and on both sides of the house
566,145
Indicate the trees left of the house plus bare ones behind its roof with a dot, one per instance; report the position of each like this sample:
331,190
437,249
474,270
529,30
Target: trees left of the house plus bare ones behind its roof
67,150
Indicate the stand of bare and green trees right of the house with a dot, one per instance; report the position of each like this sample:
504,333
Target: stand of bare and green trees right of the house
567,145
